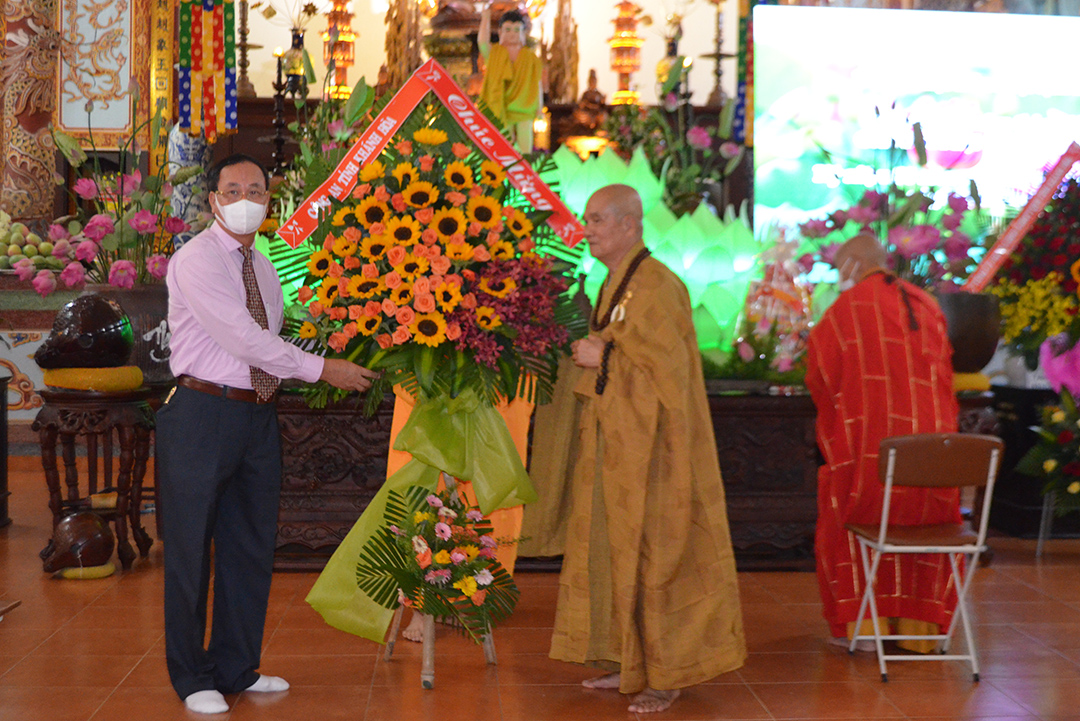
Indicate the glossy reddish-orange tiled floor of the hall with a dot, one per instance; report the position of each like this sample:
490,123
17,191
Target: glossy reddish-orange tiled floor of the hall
94,650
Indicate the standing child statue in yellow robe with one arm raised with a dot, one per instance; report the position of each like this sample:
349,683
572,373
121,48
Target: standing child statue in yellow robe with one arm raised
514,76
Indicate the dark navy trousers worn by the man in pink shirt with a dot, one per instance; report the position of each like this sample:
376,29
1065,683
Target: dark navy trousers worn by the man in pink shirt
220,471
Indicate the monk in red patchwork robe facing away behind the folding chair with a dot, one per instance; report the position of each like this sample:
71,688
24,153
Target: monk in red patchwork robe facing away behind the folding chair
879,365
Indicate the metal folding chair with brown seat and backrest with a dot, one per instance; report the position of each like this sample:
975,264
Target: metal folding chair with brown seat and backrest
933,460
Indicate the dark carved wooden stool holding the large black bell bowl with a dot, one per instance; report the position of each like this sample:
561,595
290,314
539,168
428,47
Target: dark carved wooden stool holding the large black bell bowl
71,414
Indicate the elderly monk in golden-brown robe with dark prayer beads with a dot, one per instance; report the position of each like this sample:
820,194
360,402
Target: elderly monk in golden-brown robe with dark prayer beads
649,589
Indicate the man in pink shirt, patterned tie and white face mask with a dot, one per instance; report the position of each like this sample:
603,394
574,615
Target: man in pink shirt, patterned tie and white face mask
219,444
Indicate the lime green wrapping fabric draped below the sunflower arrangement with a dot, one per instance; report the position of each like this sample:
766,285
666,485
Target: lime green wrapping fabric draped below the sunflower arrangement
460,437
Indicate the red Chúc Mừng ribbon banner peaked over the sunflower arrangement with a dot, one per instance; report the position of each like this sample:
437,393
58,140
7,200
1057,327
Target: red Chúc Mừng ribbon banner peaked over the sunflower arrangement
431,77
